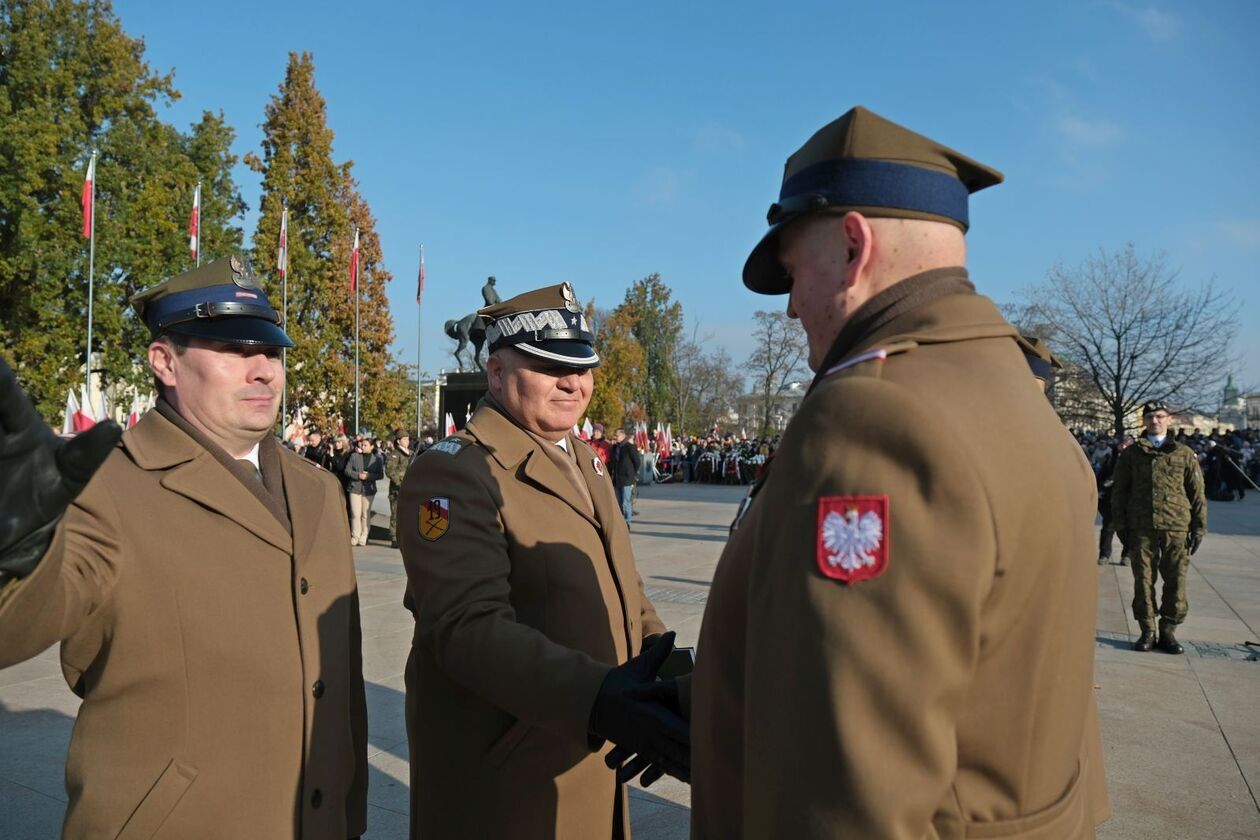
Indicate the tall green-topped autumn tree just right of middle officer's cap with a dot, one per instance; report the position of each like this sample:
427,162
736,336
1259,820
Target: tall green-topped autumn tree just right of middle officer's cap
657,324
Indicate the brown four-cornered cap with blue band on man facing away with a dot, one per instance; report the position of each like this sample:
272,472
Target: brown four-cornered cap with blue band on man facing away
865,163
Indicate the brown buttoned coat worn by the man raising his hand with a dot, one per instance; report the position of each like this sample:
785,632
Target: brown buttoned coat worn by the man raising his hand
219,658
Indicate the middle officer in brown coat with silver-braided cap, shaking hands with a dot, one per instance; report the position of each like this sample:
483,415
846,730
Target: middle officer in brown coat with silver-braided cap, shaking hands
530,613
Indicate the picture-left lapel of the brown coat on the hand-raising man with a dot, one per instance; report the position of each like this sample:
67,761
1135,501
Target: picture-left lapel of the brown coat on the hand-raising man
157,444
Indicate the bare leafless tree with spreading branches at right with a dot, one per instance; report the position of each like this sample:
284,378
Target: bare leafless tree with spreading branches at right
1135,332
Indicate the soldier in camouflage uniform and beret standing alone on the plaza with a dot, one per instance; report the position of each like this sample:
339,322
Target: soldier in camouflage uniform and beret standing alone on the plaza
1161,513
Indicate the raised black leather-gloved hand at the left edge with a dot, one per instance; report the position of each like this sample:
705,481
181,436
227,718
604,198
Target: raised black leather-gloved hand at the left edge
40,475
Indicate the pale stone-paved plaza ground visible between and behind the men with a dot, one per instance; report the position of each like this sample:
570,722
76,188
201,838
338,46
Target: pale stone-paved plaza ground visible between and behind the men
1181,734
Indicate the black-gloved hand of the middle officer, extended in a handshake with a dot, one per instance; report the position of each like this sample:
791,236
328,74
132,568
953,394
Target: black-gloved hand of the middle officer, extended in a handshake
643,725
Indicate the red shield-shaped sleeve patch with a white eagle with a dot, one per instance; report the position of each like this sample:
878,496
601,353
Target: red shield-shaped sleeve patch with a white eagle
852,537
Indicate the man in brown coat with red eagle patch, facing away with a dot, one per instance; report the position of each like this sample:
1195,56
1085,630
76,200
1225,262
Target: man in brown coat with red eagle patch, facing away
899,642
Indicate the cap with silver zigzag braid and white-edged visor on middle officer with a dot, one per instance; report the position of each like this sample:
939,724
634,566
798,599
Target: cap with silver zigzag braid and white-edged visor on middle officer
546,323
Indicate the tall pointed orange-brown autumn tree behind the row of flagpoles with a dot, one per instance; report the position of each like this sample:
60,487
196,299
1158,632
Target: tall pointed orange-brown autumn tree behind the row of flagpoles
324,207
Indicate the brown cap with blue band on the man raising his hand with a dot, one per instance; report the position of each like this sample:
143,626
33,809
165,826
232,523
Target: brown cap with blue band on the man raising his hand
221,302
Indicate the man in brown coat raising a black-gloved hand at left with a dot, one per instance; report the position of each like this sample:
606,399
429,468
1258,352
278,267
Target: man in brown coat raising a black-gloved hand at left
203,595
